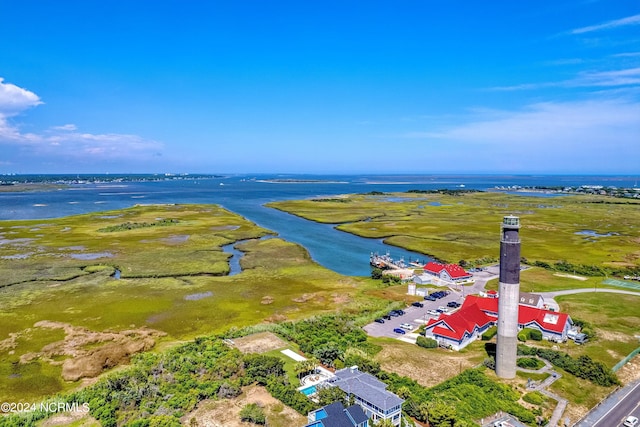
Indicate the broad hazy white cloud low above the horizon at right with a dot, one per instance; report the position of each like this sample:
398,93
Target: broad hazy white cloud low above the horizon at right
563,137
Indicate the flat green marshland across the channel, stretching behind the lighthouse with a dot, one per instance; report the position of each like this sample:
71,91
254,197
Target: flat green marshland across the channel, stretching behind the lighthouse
467,226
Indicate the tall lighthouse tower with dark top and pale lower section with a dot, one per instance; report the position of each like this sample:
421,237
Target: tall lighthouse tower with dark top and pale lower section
509,292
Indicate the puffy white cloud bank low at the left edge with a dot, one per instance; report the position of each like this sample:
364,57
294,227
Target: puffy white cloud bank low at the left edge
64,143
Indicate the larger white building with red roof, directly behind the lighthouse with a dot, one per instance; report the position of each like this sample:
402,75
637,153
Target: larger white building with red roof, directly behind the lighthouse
478,314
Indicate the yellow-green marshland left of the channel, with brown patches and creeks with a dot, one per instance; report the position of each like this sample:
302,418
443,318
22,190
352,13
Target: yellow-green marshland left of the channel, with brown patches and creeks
173,281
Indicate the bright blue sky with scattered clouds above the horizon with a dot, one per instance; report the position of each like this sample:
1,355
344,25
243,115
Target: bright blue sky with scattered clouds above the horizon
411,86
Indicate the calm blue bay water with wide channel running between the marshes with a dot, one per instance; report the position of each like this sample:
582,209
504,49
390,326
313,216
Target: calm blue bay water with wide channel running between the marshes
246,195
